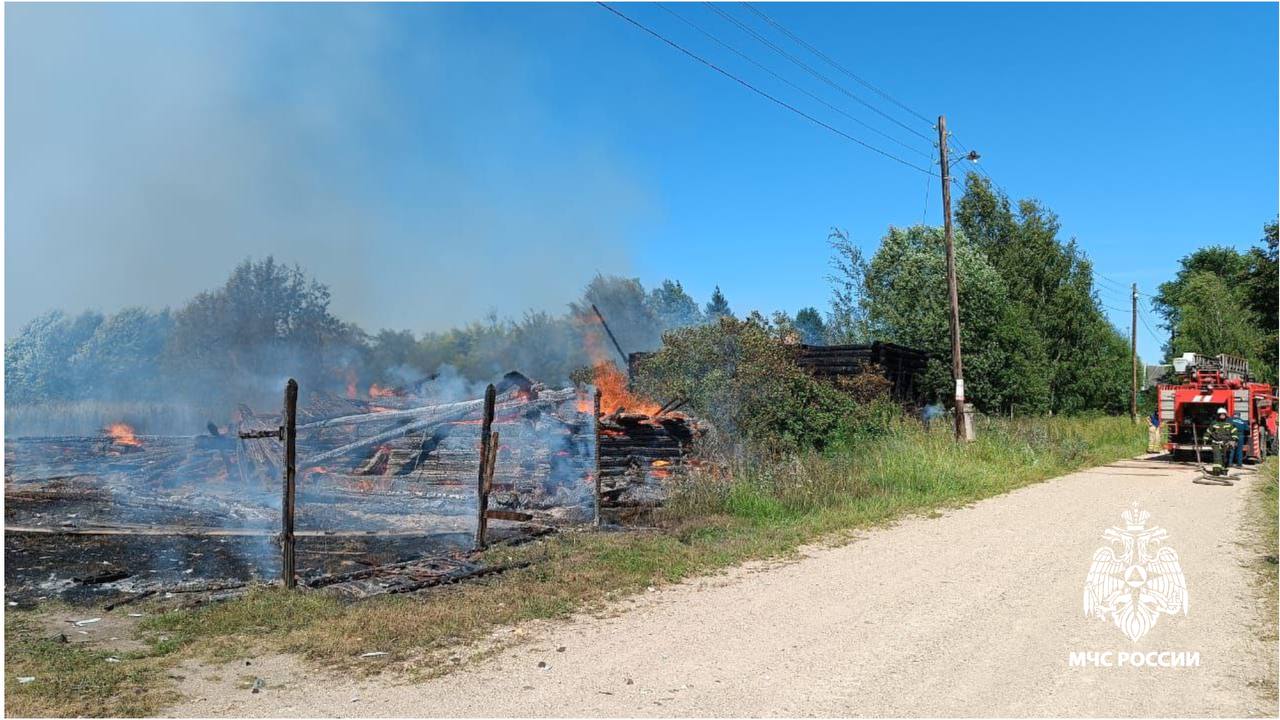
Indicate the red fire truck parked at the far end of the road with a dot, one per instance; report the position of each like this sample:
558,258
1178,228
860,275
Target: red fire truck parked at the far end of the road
1187,411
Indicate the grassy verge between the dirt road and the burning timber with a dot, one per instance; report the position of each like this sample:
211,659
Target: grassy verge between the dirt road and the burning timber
753,512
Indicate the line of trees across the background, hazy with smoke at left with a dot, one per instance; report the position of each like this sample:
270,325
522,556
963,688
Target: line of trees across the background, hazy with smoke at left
1035,336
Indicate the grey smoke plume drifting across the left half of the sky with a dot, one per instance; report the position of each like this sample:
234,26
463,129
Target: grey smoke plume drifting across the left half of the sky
410,167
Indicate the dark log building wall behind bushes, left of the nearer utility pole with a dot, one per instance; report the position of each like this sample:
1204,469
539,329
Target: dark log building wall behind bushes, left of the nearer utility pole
899,364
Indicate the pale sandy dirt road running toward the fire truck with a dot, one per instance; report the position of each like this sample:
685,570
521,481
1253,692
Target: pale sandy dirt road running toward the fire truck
975,613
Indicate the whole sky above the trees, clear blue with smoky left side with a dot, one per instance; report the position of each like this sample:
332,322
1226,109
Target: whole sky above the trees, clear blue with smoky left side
435,162
